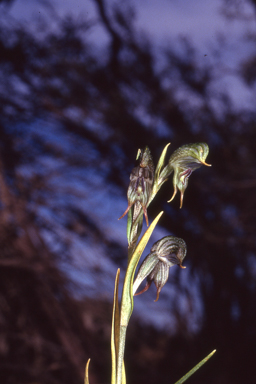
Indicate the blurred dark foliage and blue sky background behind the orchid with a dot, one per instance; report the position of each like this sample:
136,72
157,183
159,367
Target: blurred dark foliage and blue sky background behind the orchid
83,85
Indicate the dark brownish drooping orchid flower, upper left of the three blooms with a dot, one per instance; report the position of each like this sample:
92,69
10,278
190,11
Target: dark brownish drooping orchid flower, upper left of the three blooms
141,183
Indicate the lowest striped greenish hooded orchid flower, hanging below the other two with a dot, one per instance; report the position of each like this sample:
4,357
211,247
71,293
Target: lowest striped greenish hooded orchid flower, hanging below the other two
164,254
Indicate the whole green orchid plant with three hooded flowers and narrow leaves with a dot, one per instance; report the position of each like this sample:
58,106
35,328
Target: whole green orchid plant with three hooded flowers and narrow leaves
145,182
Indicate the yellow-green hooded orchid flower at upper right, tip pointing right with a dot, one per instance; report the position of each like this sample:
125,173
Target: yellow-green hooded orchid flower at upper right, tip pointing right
183,162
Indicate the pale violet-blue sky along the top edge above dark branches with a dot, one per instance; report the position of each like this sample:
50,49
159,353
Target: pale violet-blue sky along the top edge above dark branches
218,40
